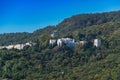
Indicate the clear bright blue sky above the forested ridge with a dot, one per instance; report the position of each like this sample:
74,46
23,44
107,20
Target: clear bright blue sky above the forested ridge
29,15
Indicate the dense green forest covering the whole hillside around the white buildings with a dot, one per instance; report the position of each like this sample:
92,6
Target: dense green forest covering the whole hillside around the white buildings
46,62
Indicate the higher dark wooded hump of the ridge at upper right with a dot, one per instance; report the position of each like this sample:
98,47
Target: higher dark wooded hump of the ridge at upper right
85,20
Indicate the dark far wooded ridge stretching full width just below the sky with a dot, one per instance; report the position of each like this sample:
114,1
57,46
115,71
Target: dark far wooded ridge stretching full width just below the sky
68,26
